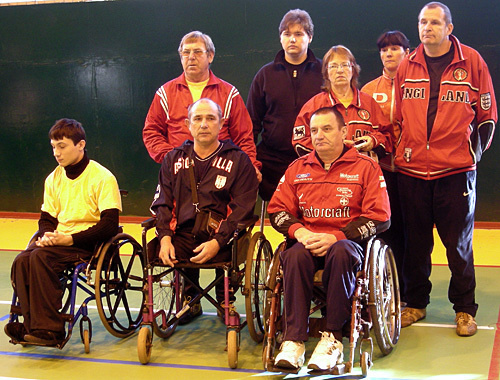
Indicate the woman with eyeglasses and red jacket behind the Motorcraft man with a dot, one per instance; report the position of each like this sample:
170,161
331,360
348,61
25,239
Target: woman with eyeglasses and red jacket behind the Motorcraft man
367,127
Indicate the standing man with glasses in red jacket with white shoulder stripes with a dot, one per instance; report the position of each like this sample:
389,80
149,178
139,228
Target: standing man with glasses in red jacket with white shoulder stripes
165,126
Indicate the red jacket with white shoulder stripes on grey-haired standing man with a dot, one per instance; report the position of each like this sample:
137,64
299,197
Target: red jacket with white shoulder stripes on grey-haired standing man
165,126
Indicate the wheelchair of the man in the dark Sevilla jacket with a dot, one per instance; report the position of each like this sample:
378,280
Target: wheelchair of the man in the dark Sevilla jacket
164,287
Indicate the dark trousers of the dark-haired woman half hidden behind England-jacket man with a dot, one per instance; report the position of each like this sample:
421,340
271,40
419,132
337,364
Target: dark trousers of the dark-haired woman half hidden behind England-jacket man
395,235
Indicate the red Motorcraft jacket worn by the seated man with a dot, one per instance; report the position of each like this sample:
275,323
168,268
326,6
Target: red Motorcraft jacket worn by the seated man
349,200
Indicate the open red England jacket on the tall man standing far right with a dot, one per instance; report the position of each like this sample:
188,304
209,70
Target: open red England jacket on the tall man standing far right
465,117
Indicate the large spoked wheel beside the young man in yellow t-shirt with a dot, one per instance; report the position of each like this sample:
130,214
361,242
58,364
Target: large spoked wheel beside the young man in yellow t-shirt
119,285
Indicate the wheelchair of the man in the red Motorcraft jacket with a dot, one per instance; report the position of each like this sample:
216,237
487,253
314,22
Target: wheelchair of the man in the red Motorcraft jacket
375,308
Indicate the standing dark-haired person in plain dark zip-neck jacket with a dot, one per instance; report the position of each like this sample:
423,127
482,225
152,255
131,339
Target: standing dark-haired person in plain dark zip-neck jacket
277,94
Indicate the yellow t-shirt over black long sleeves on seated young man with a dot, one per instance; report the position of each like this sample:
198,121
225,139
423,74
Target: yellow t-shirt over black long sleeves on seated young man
77,203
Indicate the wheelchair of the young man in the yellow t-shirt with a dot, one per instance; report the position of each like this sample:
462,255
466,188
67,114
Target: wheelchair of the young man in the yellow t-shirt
113,277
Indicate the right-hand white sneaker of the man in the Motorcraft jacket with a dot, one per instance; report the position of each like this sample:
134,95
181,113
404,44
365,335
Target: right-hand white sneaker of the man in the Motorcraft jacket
327,354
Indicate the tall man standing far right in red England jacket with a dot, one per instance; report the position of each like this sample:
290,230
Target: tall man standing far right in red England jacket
447,110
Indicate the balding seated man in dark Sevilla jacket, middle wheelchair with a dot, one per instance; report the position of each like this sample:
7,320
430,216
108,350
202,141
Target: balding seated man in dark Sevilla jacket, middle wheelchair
224,177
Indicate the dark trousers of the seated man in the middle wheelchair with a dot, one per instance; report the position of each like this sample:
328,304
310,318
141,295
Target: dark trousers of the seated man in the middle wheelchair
184,243
